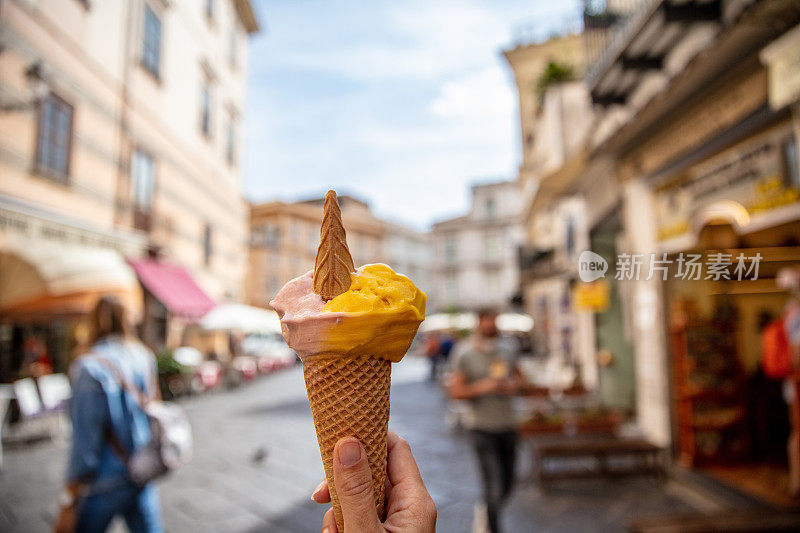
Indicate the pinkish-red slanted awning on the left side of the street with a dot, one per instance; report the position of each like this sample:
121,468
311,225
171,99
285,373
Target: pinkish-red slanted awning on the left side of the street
174,287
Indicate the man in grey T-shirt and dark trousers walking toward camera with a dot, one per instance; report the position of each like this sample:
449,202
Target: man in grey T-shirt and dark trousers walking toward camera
485,374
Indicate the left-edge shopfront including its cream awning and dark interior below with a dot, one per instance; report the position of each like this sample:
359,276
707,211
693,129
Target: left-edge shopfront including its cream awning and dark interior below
46,292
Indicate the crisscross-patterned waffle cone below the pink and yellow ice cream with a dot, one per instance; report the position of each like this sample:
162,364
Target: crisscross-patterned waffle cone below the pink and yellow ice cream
349,397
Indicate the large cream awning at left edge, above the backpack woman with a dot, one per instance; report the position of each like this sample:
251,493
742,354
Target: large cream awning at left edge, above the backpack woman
51,278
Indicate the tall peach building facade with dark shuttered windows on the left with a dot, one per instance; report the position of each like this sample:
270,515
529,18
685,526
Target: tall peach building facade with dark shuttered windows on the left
120,126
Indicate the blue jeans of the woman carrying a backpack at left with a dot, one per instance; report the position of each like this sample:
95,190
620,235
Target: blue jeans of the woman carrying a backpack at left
139,507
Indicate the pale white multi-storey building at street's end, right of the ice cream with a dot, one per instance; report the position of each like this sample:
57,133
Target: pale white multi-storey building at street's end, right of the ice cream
475,255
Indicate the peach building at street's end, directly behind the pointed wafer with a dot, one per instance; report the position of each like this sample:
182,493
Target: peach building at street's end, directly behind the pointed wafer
285,237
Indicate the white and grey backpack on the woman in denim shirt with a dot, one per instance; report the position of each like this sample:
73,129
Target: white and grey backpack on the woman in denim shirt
171,443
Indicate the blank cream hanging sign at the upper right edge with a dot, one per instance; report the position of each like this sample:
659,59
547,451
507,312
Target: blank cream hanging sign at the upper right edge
782,58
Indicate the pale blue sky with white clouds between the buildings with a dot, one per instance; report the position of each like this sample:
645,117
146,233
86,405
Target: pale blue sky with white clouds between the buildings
403,104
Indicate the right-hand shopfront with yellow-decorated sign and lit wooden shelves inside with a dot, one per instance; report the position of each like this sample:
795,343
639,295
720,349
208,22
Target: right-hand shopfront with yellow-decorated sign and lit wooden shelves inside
736,216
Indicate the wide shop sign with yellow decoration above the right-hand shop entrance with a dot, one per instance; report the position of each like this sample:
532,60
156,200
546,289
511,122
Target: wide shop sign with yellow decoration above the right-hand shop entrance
750,177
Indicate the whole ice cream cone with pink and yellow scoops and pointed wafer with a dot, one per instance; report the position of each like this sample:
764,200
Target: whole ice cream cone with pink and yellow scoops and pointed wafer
348,327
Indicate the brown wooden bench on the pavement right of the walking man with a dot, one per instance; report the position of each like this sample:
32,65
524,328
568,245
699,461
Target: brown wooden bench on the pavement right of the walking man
647,457
